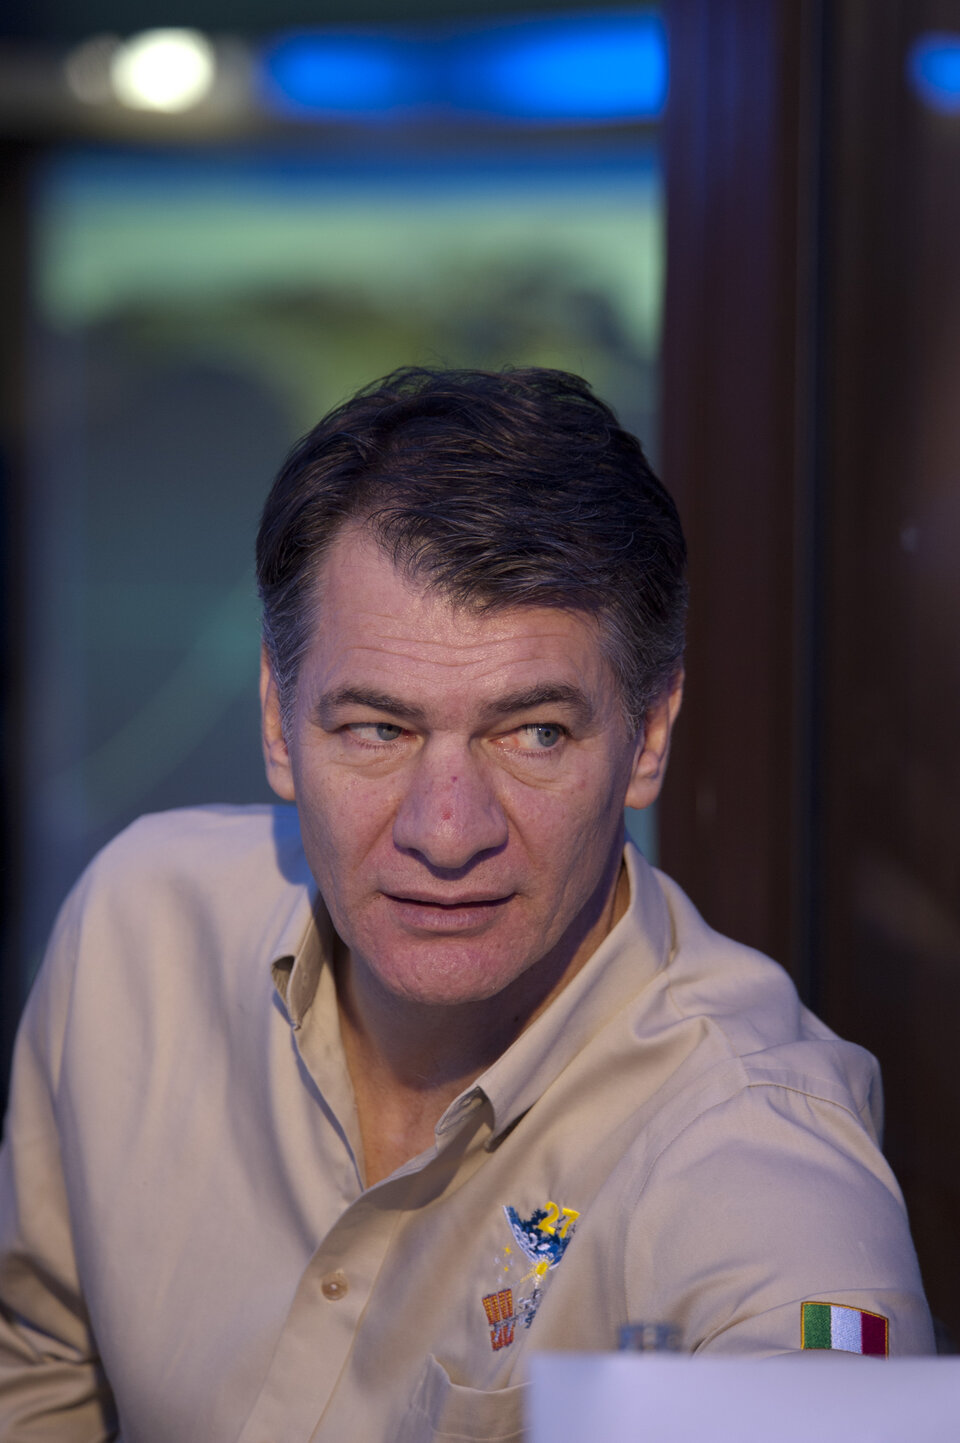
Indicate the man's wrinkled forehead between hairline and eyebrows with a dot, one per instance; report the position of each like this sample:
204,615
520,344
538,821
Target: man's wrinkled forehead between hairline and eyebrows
373,620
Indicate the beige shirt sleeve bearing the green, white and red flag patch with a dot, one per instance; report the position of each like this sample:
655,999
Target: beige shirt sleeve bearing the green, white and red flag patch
767,1201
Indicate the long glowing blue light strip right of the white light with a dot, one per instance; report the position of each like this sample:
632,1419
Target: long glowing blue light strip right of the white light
584,69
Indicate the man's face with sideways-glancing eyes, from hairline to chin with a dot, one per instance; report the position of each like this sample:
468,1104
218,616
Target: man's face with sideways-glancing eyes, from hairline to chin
460,780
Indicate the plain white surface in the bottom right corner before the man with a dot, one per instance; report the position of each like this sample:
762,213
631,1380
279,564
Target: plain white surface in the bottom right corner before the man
669,1399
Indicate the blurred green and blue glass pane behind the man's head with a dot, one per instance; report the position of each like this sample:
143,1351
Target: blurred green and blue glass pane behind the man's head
197,315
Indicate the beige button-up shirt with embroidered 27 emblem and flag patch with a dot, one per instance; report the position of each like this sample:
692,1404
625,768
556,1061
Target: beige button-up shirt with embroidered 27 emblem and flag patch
187,1242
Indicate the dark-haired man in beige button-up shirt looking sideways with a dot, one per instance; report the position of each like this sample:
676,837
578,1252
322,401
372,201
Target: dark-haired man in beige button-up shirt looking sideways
324,1119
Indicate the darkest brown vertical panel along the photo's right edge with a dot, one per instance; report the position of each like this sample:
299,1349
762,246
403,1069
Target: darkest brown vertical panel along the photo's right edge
891,939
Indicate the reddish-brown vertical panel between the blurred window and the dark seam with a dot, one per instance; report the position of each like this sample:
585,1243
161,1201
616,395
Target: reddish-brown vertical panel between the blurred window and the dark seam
740,174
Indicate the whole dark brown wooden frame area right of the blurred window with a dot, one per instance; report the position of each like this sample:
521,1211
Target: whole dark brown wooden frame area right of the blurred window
812,437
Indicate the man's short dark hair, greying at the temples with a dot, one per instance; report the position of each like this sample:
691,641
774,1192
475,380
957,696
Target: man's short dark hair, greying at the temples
515,488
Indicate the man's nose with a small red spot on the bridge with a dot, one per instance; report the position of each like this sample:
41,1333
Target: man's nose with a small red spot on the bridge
450,813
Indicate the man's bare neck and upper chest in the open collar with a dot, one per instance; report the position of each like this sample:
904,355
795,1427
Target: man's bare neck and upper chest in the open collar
408,1060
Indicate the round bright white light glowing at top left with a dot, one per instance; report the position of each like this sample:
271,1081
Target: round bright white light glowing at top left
164,70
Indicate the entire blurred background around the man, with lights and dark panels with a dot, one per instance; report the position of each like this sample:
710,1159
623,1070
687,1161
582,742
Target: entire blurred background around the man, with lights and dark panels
738,219
